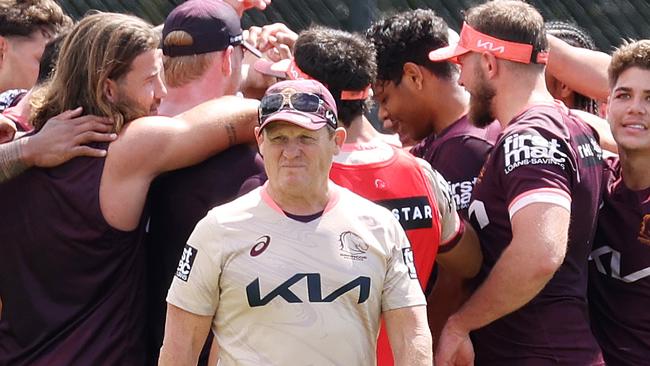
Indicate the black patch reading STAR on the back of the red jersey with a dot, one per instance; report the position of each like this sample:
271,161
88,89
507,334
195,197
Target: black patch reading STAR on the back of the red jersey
412,212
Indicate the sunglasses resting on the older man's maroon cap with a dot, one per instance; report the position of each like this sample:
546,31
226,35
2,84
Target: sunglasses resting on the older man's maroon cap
301,102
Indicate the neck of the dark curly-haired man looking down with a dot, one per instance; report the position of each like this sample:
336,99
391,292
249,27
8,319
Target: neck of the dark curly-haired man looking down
447,110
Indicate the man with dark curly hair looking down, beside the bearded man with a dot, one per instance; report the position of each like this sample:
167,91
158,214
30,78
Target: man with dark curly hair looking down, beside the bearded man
422,100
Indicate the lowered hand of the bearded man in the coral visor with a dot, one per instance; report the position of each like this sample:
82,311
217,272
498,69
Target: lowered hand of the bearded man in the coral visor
454,346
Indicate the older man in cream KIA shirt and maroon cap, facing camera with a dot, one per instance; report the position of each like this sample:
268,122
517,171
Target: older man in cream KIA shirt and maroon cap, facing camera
299,270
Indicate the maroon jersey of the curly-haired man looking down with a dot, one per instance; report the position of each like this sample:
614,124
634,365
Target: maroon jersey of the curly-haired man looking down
460,139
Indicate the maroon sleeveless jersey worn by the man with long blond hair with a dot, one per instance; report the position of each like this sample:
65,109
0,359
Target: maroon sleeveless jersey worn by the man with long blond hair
71,285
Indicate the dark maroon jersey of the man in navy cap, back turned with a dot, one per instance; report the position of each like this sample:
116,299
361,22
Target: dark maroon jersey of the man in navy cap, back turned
177,201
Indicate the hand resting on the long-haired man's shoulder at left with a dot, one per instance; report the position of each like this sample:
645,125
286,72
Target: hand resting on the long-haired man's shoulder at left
65,136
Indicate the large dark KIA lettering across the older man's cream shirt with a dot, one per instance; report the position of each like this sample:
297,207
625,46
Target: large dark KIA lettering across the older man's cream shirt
313,288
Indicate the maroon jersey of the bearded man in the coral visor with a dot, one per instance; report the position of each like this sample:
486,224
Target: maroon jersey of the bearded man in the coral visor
543,155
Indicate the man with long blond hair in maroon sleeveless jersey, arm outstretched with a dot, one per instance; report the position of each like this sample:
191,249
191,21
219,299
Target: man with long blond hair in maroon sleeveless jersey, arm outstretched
72,269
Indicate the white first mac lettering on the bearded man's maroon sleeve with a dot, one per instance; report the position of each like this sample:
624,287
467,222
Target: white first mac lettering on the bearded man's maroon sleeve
529,149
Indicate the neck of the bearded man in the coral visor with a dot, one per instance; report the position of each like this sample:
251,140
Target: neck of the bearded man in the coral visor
516,91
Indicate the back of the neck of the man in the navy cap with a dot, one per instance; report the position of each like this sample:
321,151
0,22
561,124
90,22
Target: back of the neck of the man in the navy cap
183,98
